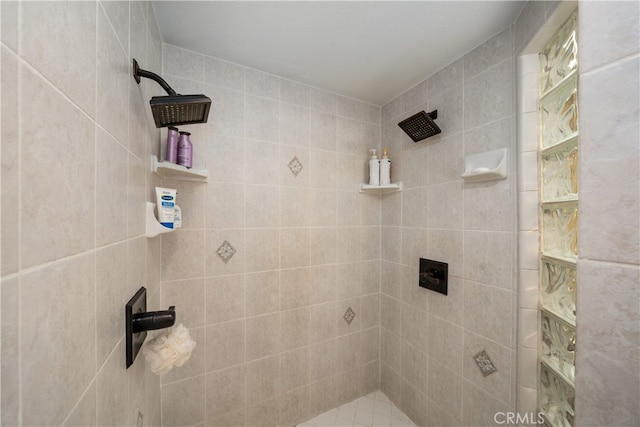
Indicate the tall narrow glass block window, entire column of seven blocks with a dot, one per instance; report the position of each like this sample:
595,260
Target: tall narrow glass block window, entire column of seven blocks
558,167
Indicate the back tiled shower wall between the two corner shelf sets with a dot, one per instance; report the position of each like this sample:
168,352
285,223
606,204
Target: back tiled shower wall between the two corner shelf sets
273,346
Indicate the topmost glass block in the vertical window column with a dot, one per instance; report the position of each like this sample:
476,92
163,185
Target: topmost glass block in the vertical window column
560,56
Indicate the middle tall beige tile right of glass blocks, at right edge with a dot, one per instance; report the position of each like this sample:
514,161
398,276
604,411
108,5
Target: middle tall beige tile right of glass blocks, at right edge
608,211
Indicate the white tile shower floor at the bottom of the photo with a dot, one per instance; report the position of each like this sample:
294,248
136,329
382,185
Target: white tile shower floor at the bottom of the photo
373,410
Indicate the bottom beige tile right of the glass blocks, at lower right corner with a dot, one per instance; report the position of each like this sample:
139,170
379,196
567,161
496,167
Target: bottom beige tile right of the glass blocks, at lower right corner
607,354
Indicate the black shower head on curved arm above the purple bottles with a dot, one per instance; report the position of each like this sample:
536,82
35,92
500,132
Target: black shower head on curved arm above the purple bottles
174,109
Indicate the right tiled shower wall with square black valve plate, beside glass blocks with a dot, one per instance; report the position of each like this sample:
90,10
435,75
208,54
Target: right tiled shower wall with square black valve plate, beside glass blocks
428,340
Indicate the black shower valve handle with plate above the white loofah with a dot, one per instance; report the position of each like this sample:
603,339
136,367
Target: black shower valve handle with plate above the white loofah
138,321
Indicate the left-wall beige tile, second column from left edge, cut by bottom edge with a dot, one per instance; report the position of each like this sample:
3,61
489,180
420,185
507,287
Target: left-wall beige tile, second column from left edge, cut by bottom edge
50,351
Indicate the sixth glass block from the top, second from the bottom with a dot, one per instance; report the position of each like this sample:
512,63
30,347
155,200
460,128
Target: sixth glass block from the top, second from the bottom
559,345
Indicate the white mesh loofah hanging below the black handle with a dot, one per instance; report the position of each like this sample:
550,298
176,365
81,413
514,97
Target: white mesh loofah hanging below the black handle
169,349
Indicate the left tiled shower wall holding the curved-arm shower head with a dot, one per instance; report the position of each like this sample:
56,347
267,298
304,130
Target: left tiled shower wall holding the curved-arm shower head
75,153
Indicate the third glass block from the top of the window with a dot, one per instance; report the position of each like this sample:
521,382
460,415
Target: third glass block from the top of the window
560,171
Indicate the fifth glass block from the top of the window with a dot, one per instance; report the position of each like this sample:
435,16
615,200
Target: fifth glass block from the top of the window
559,289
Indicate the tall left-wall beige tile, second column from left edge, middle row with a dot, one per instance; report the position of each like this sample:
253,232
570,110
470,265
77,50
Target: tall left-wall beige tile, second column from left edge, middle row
45,112
